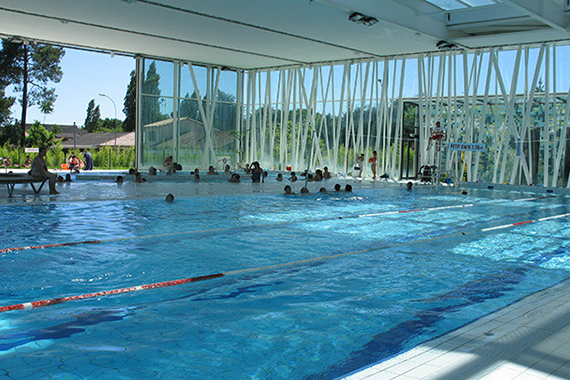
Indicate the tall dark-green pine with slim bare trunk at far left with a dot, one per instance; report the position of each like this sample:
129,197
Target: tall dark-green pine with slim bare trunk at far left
31,68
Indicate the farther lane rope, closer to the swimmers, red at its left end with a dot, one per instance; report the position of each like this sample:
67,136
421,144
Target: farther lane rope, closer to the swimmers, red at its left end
14,249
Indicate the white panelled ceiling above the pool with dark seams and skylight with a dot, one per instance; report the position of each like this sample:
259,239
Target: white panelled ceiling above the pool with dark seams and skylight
268,33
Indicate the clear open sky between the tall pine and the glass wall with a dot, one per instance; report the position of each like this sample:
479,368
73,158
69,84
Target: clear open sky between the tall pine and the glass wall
85,75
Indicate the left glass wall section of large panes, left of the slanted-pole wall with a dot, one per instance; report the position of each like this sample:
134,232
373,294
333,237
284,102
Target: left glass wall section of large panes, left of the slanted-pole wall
188,112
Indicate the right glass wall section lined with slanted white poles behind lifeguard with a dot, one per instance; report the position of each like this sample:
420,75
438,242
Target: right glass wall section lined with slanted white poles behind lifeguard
510,105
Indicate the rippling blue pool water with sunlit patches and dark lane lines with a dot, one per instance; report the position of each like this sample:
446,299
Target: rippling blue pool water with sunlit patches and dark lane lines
394,281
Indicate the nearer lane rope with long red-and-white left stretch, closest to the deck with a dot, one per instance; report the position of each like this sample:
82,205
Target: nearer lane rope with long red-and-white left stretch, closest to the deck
164,284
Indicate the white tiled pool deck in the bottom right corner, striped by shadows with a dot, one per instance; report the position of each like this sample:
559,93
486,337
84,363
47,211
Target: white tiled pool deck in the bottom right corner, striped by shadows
528,340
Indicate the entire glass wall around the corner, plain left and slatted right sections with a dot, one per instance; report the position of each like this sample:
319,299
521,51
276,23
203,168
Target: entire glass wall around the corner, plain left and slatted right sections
512,104
